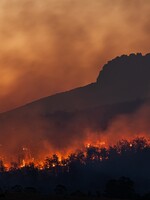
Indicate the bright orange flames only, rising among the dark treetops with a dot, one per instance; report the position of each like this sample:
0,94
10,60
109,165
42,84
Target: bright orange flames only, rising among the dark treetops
25,157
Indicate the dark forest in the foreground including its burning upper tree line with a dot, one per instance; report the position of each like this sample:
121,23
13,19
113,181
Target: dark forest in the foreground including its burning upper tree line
118,171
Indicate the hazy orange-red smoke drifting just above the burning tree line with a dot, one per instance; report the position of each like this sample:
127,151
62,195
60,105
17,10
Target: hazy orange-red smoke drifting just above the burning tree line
33,139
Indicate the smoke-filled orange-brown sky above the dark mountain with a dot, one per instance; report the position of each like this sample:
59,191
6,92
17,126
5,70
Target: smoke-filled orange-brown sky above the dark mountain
55,45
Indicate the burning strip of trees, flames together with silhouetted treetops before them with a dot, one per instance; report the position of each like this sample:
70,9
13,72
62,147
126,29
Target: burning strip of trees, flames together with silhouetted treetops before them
98,153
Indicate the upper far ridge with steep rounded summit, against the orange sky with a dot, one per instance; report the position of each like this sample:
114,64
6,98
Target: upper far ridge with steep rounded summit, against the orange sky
125,78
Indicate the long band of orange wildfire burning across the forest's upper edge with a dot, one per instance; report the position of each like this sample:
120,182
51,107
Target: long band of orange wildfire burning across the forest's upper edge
100,150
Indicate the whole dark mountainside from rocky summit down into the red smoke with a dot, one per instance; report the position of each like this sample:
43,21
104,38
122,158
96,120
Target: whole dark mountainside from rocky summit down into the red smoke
62,120
